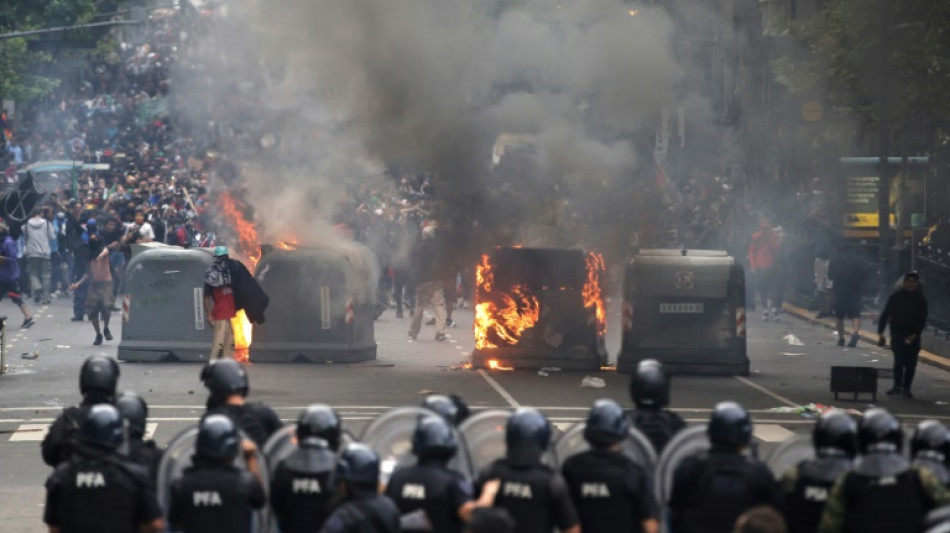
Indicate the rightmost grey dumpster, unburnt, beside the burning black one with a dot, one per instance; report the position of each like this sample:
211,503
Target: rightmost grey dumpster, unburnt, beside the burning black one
687,310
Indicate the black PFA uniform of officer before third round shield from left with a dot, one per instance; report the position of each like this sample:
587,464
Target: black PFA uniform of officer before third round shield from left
431,487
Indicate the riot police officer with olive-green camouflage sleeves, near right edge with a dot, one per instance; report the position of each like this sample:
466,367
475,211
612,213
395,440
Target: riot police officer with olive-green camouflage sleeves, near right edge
882,492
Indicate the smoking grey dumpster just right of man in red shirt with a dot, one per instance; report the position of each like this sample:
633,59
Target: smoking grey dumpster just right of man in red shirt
322,304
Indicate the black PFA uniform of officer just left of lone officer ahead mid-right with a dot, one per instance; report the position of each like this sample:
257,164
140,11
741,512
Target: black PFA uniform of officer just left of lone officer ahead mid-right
610,491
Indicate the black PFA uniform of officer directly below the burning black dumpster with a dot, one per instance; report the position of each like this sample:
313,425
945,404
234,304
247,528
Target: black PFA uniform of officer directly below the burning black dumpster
536,496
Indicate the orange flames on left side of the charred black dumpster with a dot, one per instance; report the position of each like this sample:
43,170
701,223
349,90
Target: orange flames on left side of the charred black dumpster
501,315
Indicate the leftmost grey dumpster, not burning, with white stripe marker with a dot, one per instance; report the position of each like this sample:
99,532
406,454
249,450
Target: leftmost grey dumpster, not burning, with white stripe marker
163,316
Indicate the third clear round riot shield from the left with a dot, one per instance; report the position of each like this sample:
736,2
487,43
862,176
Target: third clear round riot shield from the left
391,436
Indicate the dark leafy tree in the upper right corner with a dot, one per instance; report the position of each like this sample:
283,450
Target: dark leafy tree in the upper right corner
867,56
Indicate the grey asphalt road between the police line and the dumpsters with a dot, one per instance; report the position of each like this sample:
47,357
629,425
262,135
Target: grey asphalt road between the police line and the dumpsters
783,375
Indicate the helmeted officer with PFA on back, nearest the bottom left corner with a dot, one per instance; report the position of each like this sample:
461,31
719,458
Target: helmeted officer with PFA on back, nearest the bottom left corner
97,489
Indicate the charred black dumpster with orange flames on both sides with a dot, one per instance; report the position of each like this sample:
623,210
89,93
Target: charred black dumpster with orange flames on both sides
539,307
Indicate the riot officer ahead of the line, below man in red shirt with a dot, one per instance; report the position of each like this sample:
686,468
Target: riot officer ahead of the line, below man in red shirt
226,380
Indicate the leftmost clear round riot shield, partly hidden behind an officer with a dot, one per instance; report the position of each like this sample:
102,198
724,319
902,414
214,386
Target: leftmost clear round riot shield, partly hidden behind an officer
177,458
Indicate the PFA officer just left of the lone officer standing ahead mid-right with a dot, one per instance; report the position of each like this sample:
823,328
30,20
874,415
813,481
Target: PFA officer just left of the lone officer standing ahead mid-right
611,492
